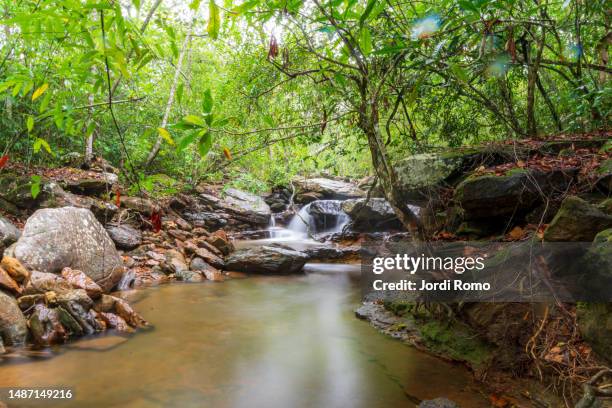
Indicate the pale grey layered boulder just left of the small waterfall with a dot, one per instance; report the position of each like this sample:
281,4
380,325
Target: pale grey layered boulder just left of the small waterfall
241,205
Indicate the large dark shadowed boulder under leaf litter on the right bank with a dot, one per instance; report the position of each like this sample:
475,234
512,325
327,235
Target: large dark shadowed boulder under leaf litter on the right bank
515,192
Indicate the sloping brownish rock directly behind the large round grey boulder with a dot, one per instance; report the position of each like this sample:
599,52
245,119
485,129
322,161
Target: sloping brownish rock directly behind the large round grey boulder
56,197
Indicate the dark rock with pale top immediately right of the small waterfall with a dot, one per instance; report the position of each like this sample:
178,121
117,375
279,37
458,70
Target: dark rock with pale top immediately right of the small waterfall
376,215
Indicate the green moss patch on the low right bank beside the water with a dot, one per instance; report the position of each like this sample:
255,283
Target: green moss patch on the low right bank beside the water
456,341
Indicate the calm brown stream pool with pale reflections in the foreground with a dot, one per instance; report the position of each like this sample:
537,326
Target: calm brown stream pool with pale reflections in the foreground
257,342
